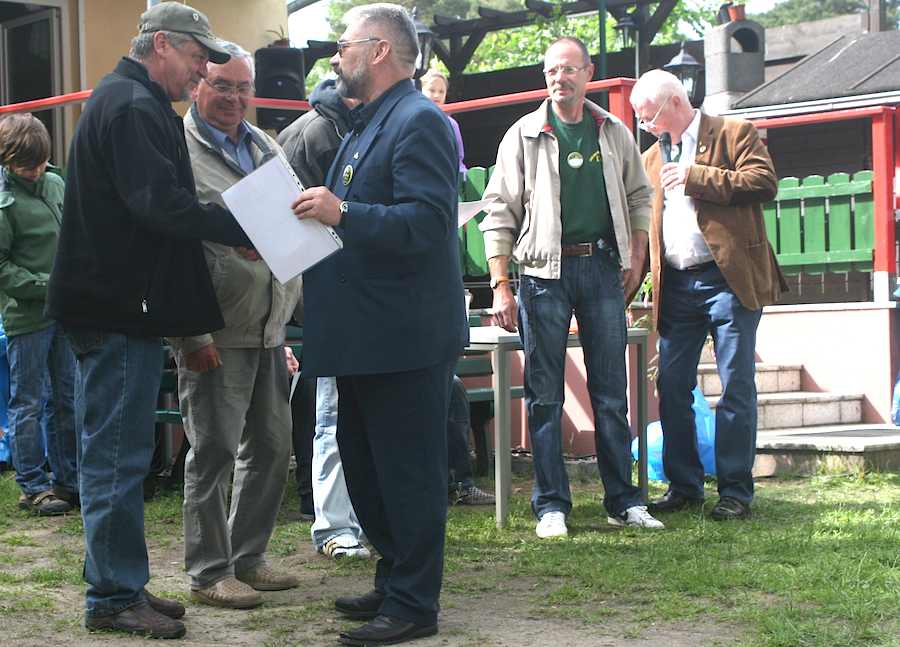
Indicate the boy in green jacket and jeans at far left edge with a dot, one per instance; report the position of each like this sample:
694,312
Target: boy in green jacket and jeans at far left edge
31,202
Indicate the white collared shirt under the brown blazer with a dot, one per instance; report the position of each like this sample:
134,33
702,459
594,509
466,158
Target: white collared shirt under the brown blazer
683,242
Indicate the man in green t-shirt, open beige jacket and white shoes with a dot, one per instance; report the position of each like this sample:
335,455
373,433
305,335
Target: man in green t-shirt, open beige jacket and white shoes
572,206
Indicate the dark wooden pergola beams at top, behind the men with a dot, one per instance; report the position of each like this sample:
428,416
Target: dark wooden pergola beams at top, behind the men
456,39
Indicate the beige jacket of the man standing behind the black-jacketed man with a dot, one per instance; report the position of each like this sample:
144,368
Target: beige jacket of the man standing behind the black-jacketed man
255,305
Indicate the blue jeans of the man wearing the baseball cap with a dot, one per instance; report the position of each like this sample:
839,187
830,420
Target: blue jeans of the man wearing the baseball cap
118,378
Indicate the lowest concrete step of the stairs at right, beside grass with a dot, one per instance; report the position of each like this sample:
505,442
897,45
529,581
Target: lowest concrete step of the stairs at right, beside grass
837,448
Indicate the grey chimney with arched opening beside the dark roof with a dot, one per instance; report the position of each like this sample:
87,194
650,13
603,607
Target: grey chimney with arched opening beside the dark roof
735,62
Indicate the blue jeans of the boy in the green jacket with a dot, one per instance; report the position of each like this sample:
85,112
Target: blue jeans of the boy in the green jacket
38,360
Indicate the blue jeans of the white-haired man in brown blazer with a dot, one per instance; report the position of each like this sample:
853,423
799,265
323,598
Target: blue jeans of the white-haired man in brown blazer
696,303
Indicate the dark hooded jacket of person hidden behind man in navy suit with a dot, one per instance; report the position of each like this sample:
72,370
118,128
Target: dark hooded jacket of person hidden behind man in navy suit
312,140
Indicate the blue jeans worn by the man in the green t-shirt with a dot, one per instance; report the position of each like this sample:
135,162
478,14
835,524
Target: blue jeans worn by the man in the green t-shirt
591,287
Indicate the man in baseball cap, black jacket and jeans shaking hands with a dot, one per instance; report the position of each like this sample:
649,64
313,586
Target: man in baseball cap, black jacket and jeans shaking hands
129,270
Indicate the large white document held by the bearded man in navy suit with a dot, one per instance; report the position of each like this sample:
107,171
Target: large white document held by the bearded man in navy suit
261,202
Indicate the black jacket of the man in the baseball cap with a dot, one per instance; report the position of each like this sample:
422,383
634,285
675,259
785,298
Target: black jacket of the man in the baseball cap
129,257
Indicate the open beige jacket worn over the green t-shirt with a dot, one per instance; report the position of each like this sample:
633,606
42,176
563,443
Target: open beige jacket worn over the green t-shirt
524,220
